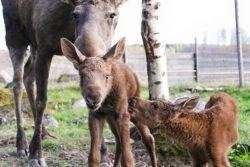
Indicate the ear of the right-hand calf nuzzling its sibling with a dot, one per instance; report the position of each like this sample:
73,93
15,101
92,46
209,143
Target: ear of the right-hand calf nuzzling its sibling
187,102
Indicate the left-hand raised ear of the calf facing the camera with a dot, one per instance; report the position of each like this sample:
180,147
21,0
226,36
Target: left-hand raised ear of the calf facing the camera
71,52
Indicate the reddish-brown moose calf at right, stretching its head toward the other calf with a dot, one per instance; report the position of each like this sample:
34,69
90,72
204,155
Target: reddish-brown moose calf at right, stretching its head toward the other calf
207,134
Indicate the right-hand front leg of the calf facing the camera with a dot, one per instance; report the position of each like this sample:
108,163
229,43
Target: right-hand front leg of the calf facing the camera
123,123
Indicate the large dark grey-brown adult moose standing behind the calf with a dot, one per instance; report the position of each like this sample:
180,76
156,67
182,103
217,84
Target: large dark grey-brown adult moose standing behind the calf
40,24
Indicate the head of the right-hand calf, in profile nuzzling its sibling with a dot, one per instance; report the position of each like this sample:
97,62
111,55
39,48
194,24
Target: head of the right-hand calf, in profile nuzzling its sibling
153,113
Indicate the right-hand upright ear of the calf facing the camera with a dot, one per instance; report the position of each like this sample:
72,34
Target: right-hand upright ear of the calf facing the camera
116,51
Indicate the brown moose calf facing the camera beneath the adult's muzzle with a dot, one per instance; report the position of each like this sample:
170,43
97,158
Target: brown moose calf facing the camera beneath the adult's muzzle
106,85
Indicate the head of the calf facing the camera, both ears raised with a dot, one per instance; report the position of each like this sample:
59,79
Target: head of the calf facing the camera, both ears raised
95,72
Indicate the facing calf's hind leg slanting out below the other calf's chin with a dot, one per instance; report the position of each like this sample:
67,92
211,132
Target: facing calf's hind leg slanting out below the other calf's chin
148,140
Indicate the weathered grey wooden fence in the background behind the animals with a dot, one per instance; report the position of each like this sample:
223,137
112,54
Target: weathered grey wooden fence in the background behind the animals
209,68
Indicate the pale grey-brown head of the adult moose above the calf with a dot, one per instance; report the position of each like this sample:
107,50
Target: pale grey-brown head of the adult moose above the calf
95,22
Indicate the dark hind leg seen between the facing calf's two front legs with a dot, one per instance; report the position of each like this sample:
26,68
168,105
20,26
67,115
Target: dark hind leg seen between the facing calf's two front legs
115,130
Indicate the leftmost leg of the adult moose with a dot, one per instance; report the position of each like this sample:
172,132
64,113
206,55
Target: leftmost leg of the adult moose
17,58
